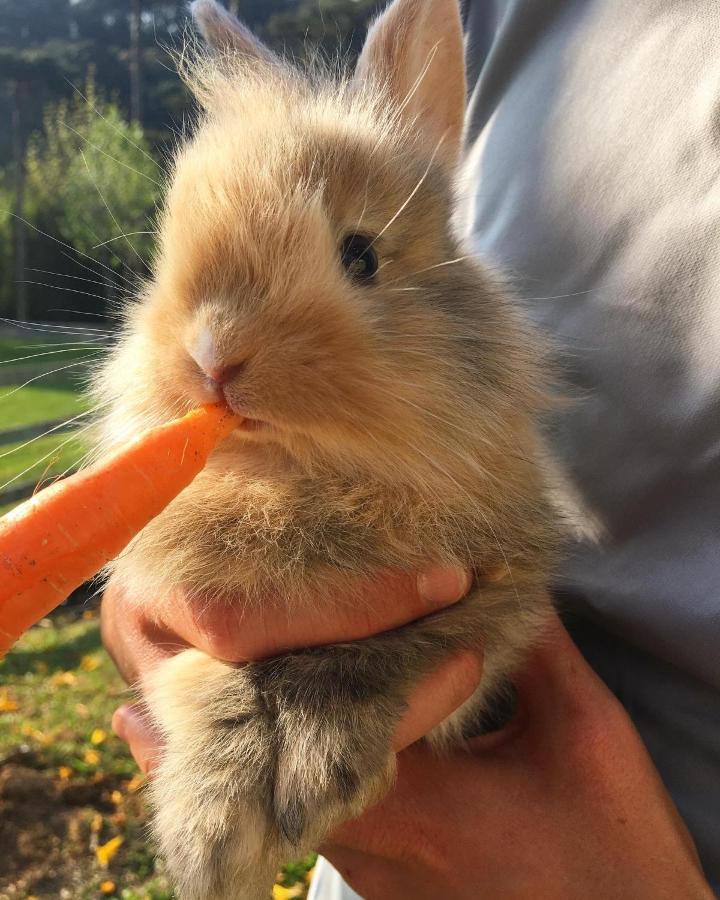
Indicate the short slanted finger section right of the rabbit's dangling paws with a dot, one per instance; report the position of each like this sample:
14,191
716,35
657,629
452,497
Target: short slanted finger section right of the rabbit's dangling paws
437,697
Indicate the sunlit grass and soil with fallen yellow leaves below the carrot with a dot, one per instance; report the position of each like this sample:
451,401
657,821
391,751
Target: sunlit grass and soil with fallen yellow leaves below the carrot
83,807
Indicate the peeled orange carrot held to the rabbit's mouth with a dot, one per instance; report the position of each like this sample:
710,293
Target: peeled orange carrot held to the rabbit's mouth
65,534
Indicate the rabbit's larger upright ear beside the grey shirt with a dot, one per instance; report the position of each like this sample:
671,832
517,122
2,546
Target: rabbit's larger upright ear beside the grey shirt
415,48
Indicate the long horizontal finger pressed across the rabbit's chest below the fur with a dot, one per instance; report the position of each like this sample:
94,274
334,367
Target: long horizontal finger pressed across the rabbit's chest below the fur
235,631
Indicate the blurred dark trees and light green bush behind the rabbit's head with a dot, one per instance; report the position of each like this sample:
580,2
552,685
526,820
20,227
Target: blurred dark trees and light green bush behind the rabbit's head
92,106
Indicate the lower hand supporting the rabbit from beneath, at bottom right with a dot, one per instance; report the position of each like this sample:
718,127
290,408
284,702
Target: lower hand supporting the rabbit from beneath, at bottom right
564,803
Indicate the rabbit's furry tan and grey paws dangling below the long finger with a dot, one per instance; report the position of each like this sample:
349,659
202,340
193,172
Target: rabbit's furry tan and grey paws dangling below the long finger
258,767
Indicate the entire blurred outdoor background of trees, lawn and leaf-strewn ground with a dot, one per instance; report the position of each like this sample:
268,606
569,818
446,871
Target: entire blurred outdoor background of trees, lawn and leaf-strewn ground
90,109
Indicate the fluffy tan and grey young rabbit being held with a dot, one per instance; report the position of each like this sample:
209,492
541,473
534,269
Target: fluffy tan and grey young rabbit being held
307,273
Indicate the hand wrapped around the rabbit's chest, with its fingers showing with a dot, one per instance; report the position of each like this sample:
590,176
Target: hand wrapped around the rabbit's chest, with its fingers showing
139,638
